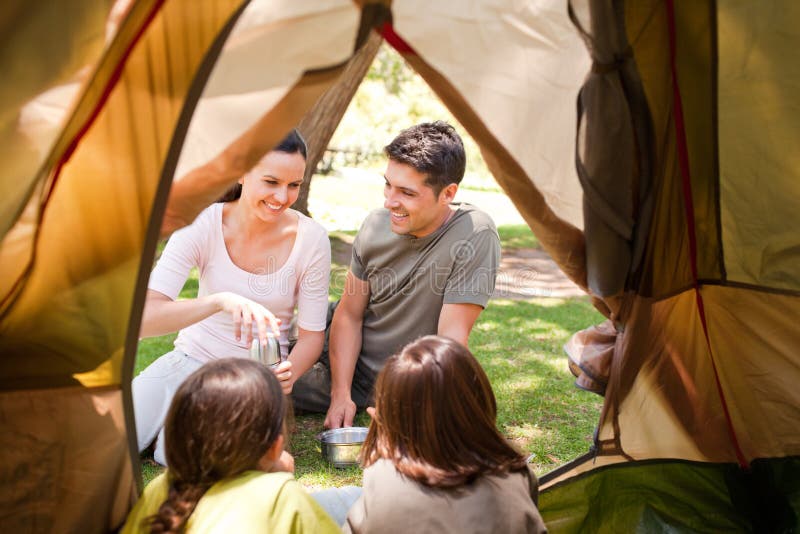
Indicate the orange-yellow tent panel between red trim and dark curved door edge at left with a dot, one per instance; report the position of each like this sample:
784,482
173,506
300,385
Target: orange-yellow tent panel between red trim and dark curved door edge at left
72,318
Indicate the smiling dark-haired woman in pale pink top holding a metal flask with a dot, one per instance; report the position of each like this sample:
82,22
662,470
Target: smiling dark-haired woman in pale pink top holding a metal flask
257,260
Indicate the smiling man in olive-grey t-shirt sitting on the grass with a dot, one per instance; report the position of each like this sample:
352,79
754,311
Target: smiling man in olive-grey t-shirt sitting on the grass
421,265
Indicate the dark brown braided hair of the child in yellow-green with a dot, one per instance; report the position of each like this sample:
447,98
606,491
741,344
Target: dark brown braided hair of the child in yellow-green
221,422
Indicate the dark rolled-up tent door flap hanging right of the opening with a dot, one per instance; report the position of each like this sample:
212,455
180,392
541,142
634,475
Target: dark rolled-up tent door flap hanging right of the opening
612,152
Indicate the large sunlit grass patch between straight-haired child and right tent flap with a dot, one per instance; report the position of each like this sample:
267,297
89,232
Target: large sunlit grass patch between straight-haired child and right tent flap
519,344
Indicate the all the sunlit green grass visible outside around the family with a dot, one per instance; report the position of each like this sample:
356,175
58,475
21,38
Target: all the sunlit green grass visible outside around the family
518,342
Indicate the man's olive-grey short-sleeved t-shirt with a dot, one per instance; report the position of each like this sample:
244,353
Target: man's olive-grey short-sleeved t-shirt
411,278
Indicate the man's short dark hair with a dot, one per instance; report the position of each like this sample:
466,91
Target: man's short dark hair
432,148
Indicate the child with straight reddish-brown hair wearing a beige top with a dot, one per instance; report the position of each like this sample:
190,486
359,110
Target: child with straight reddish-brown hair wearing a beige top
434,459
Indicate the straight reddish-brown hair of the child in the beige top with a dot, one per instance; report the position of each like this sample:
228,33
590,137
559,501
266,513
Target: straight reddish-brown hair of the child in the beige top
435,417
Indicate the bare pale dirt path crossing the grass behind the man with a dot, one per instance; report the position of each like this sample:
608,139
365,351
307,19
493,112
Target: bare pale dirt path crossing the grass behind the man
524,273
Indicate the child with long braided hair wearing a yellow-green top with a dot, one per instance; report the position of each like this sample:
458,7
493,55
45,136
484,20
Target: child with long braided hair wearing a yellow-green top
227,466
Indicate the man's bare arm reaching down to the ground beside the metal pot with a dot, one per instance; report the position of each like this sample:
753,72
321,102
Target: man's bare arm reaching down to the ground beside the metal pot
344,347
